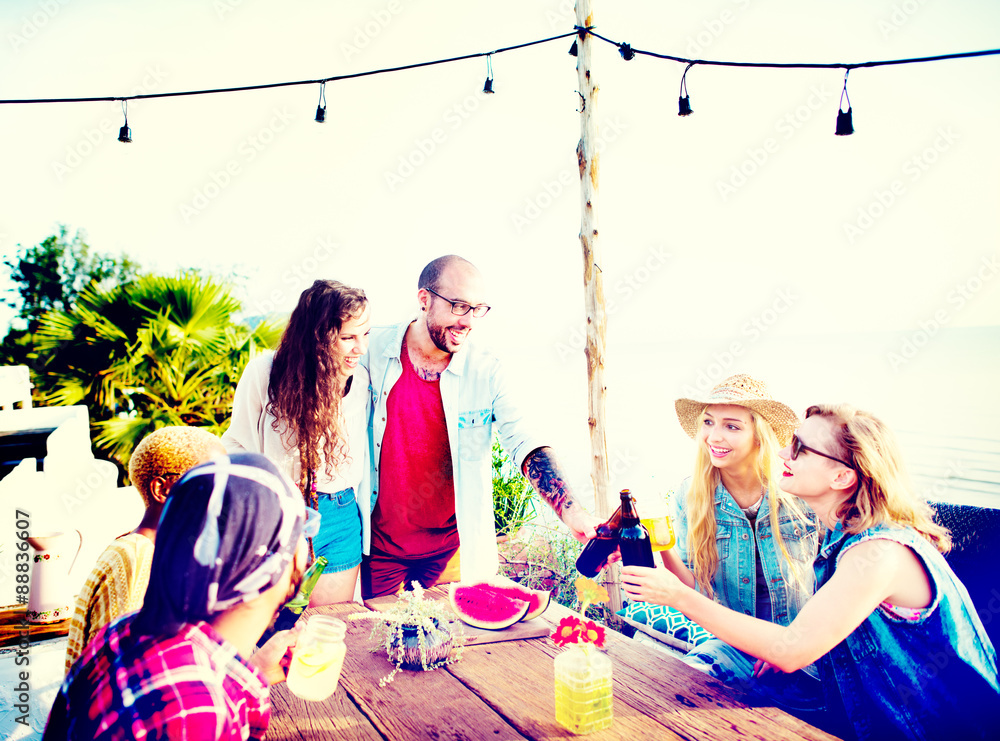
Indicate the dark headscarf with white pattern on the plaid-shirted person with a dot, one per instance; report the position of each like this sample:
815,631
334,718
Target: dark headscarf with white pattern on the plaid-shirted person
227,534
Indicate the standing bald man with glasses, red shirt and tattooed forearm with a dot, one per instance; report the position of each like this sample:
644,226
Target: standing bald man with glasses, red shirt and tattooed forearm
437,401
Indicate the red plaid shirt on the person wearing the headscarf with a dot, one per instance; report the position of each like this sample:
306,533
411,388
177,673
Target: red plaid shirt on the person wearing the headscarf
192,685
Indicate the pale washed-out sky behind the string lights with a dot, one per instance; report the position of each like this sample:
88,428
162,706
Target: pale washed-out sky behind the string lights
748,224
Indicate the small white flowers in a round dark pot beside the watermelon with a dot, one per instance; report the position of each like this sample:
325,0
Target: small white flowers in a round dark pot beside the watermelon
416,633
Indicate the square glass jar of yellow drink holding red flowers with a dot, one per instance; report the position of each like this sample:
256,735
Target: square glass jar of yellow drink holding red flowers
583,689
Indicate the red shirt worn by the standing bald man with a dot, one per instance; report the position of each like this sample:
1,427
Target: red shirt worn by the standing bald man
414,514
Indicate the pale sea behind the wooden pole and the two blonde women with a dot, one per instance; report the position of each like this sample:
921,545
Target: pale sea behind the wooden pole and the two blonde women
943,402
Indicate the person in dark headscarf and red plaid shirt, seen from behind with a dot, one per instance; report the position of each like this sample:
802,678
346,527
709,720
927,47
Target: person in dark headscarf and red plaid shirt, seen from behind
230,550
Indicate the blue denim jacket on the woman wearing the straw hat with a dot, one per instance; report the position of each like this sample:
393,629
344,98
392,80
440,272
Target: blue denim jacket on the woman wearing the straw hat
735,580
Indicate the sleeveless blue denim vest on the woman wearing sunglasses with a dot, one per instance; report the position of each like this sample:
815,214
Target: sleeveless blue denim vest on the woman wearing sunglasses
931,678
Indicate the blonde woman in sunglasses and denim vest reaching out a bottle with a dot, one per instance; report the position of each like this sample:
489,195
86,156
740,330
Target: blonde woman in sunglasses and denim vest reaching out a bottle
901,649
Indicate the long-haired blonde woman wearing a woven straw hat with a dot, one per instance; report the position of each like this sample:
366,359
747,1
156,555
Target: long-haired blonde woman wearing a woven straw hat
740,539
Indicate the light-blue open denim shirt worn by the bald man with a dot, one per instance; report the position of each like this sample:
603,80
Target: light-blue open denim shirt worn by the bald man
477,400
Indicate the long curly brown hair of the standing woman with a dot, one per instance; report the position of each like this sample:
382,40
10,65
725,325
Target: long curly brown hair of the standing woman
304,391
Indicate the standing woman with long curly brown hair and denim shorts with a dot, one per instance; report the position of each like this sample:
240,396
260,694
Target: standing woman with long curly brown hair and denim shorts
306,407
